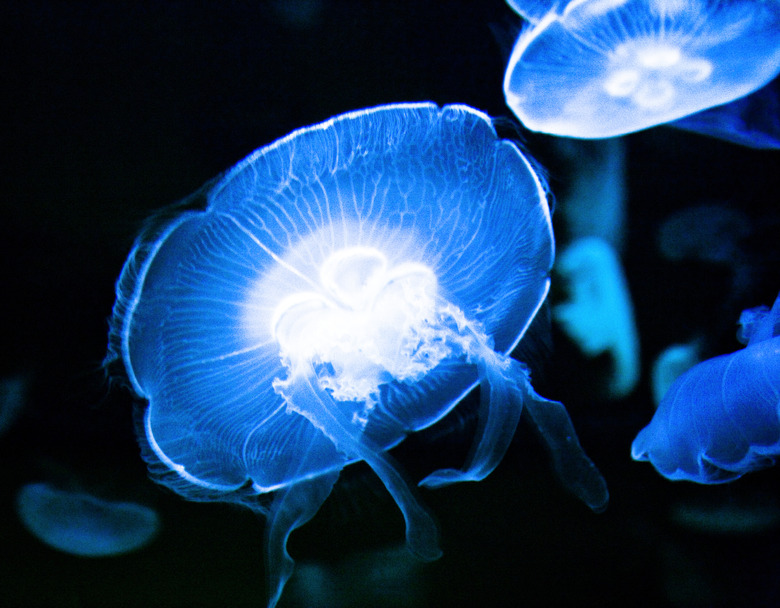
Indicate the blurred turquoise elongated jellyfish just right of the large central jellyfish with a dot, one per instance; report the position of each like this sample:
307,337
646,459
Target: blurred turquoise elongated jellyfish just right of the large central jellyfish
599,315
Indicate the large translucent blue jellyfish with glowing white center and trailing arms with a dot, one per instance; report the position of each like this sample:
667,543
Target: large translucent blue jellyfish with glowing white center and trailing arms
335,291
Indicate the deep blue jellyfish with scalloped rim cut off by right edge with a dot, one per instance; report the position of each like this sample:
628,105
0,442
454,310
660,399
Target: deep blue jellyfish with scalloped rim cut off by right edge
721,418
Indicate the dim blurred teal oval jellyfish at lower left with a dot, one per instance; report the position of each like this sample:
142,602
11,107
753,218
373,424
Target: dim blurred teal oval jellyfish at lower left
83,524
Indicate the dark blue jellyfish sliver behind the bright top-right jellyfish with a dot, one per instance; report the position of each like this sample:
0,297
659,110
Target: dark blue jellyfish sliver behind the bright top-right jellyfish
752,121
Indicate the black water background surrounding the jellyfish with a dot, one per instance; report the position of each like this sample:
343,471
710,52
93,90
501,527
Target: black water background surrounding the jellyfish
112,109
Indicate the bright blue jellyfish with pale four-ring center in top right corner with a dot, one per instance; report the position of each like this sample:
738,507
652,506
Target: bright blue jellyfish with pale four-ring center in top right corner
603,68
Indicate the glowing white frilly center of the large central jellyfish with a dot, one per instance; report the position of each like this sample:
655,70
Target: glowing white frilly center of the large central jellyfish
370,324
